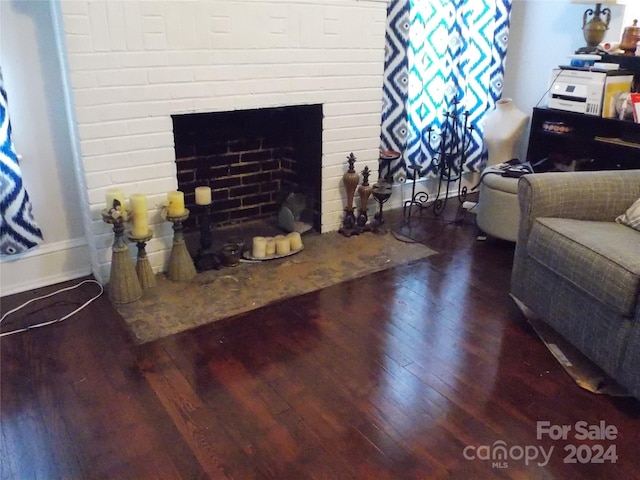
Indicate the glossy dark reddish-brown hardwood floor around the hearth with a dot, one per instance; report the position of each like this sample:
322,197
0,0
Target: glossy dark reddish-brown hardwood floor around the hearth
418,372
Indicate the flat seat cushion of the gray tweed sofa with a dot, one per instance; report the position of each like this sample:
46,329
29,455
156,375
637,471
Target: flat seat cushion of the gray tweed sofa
600,258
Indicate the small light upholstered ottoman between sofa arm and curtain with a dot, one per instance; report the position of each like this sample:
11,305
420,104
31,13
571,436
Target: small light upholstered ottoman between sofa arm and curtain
498,213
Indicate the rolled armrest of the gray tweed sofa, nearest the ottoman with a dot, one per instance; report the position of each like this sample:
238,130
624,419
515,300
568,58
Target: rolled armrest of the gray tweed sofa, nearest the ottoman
598,196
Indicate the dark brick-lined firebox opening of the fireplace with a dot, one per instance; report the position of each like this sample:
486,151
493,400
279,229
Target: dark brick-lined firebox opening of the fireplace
251,159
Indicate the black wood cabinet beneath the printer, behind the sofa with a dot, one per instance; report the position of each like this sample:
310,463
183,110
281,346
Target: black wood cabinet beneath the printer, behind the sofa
582,142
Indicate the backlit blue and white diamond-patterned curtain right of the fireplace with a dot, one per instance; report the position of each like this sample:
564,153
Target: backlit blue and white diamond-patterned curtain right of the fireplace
442,56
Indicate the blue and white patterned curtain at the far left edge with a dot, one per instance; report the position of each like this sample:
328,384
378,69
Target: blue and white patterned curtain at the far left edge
18,229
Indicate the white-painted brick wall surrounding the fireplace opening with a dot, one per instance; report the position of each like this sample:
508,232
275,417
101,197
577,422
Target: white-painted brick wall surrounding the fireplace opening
133,64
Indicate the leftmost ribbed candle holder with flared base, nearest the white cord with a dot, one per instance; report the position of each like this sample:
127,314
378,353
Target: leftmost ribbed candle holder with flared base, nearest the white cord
124,286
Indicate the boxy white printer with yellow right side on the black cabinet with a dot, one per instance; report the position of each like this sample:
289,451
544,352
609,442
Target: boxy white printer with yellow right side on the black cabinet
588,91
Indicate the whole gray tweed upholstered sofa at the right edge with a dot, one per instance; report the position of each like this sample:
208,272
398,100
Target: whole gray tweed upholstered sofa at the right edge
578,270
